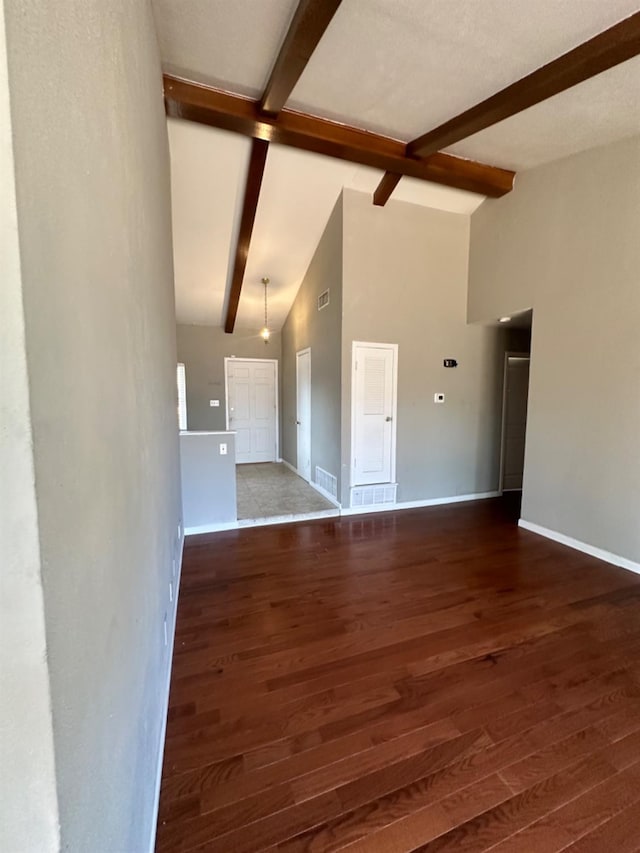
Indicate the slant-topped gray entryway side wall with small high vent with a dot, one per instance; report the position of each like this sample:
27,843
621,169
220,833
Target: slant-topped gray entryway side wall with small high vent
305,327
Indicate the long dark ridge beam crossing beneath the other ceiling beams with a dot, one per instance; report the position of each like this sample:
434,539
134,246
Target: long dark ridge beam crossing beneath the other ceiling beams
205,105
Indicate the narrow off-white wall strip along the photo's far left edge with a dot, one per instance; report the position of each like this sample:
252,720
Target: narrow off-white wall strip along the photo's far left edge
29,819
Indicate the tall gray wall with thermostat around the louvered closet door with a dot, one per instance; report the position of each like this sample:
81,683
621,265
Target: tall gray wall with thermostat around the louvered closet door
405,282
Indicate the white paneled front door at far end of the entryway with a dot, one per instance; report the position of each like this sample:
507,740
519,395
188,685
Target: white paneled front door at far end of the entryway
251,398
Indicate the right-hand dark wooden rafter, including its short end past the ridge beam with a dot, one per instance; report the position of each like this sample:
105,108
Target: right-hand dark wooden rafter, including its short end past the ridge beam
604,51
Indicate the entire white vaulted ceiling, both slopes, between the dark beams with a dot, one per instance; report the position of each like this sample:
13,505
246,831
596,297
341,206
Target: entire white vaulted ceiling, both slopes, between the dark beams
398,68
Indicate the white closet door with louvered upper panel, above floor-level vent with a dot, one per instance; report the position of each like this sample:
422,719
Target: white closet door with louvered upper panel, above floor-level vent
374,404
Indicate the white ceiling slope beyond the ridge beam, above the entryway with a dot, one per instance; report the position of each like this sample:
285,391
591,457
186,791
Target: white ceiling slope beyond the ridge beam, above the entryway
299,190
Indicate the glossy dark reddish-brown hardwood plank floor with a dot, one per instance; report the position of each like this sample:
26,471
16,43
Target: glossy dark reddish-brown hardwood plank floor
427,680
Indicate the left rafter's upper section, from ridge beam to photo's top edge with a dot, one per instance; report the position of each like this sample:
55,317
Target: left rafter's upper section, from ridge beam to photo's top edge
311,19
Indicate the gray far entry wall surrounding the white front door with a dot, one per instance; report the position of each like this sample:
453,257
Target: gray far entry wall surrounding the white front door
203,350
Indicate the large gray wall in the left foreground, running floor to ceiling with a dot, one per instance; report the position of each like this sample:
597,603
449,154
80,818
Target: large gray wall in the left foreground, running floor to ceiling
92,181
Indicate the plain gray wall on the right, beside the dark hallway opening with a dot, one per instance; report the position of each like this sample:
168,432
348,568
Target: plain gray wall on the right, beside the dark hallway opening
566,242
